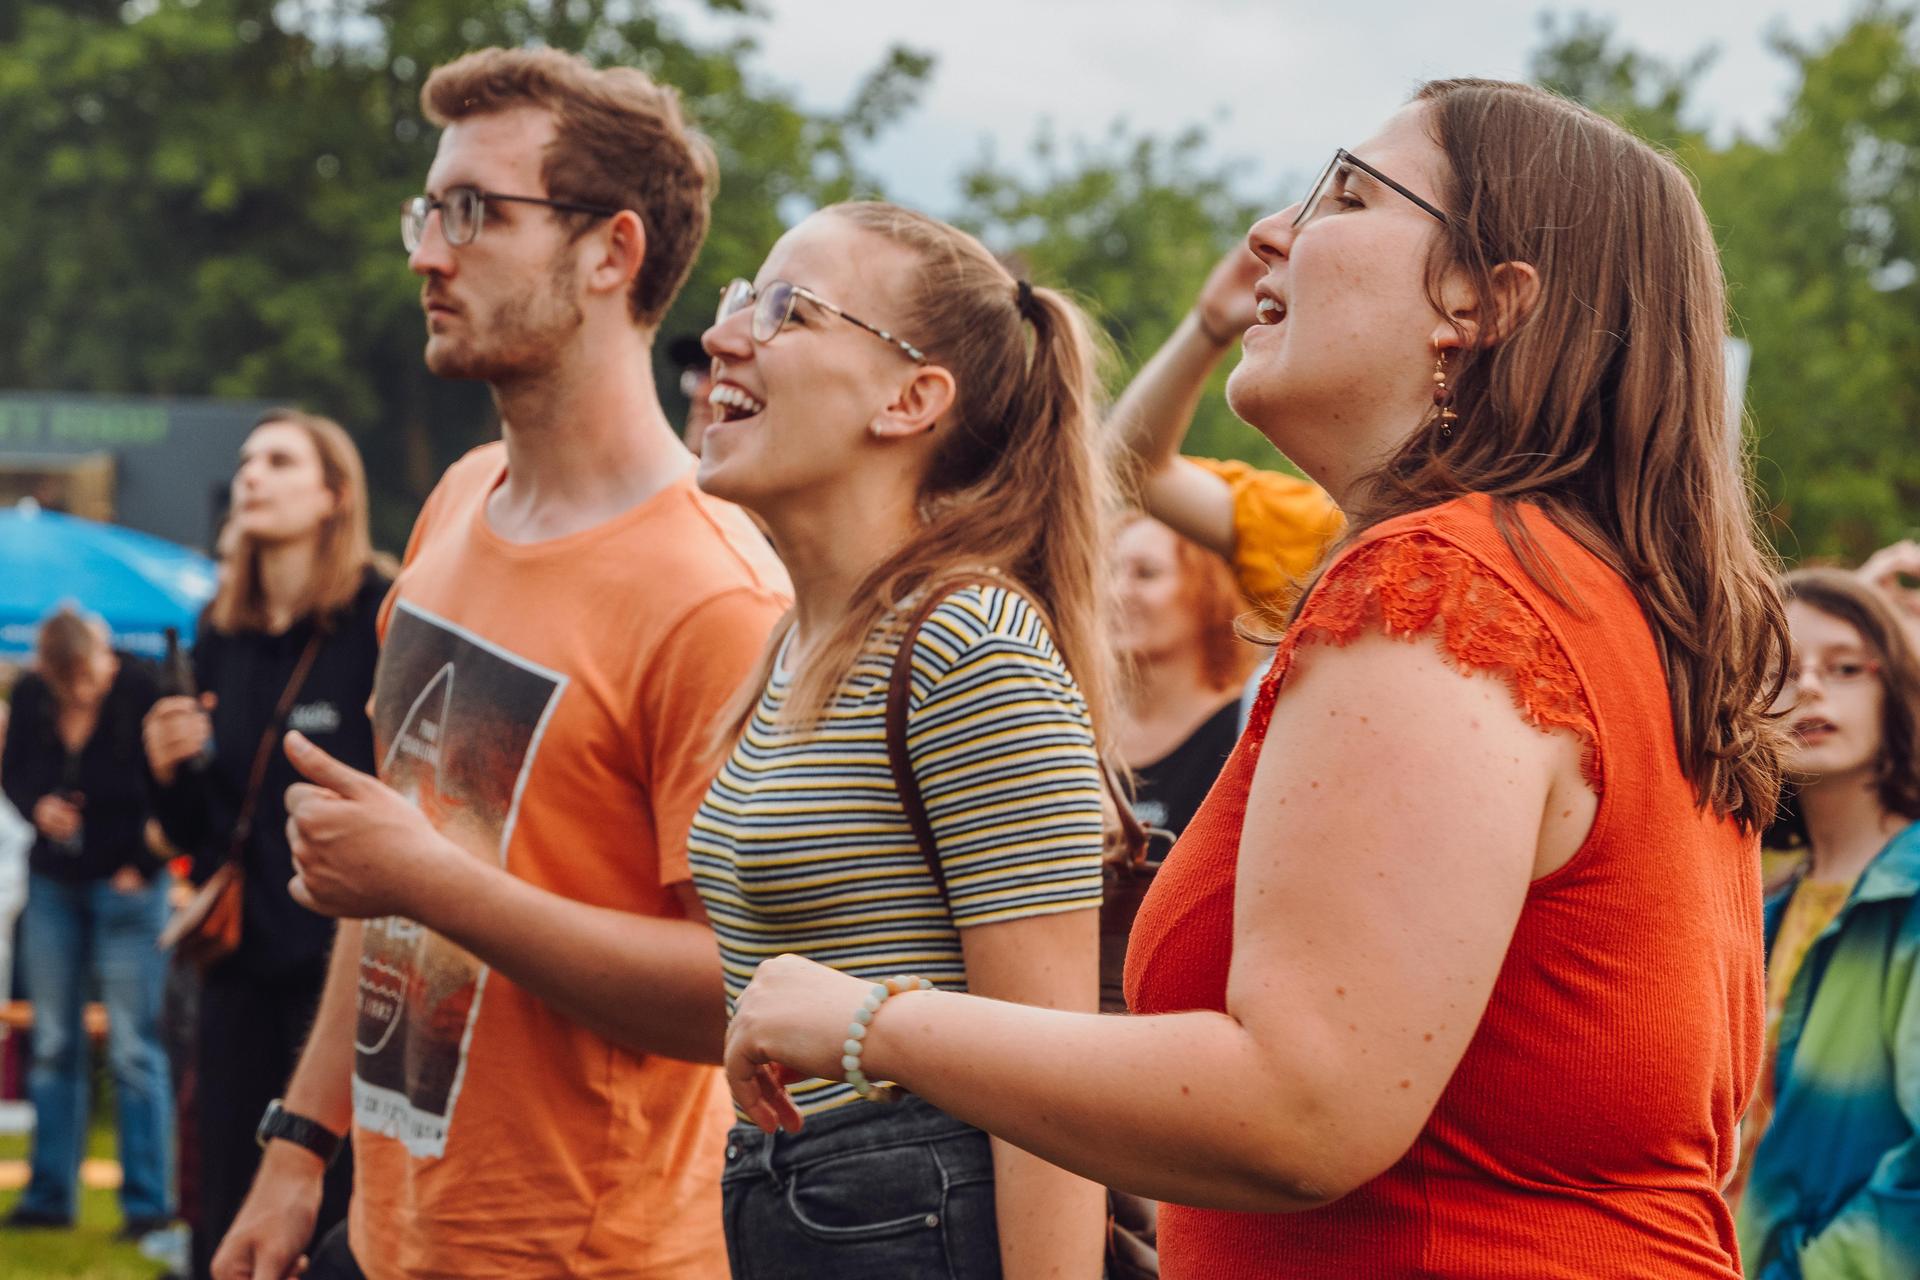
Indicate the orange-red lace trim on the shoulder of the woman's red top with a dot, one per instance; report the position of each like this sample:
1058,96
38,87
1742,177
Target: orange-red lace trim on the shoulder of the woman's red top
1412,582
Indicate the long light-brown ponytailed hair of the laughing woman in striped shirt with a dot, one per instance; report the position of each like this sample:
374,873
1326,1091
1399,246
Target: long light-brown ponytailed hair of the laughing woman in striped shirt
1020,479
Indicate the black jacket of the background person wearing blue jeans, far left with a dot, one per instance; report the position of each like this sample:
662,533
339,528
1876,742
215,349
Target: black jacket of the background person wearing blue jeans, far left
110,776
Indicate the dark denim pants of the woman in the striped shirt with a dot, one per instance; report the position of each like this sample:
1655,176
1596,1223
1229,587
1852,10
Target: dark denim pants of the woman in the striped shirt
863,1193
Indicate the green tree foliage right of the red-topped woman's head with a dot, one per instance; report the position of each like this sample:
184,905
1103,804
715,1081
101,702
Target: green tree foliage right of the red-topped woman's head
1819,227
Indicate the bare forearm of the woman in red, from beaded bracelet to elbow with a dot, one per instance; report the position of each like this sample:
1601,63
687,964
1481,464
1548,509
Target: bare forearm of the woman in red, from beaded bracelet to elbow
1182,1106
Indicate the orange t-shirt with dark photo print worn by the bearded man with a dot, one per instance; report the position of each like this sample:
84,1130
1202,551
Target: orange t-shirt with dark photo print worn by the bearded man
548,707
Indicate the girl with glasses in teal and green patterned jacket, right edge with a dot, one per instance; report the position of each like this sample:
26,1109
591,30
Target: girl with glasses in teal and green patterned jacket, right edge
1829,1181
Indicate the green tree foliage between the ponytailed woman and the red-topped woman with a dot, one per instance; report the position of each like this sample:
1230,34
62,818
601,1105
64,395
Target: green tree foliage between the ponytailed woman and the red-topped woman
1132,227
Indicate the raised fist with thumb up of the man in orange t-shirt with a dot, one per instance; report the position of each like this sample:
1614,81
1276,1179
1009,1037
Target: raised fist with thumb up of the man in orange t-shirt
360,849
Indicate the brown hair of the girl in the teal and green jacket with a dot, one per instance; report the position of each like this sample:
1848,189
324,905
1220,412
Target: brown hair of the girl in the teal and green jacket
1848,600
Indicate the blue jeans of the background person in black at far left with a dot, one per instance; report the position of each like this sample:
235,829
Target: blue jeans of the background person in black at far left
72,937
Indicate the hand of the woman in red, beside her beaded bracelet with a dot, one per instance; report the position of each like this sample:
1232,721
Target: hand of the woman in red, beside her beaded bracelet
788,1026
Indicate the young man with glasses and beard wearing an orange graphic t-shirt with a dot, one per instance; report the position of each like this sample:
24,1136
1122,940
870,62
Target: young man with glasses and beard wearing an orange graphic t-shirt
523,959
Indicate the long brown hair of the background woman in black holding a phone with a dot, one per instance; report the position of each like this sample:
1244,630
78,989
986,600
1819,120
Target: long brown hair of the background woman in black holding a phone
345,546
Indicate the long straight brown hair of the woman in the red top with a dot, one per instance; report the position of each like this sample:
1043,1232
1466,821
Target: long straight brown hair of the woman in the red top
1606,408
